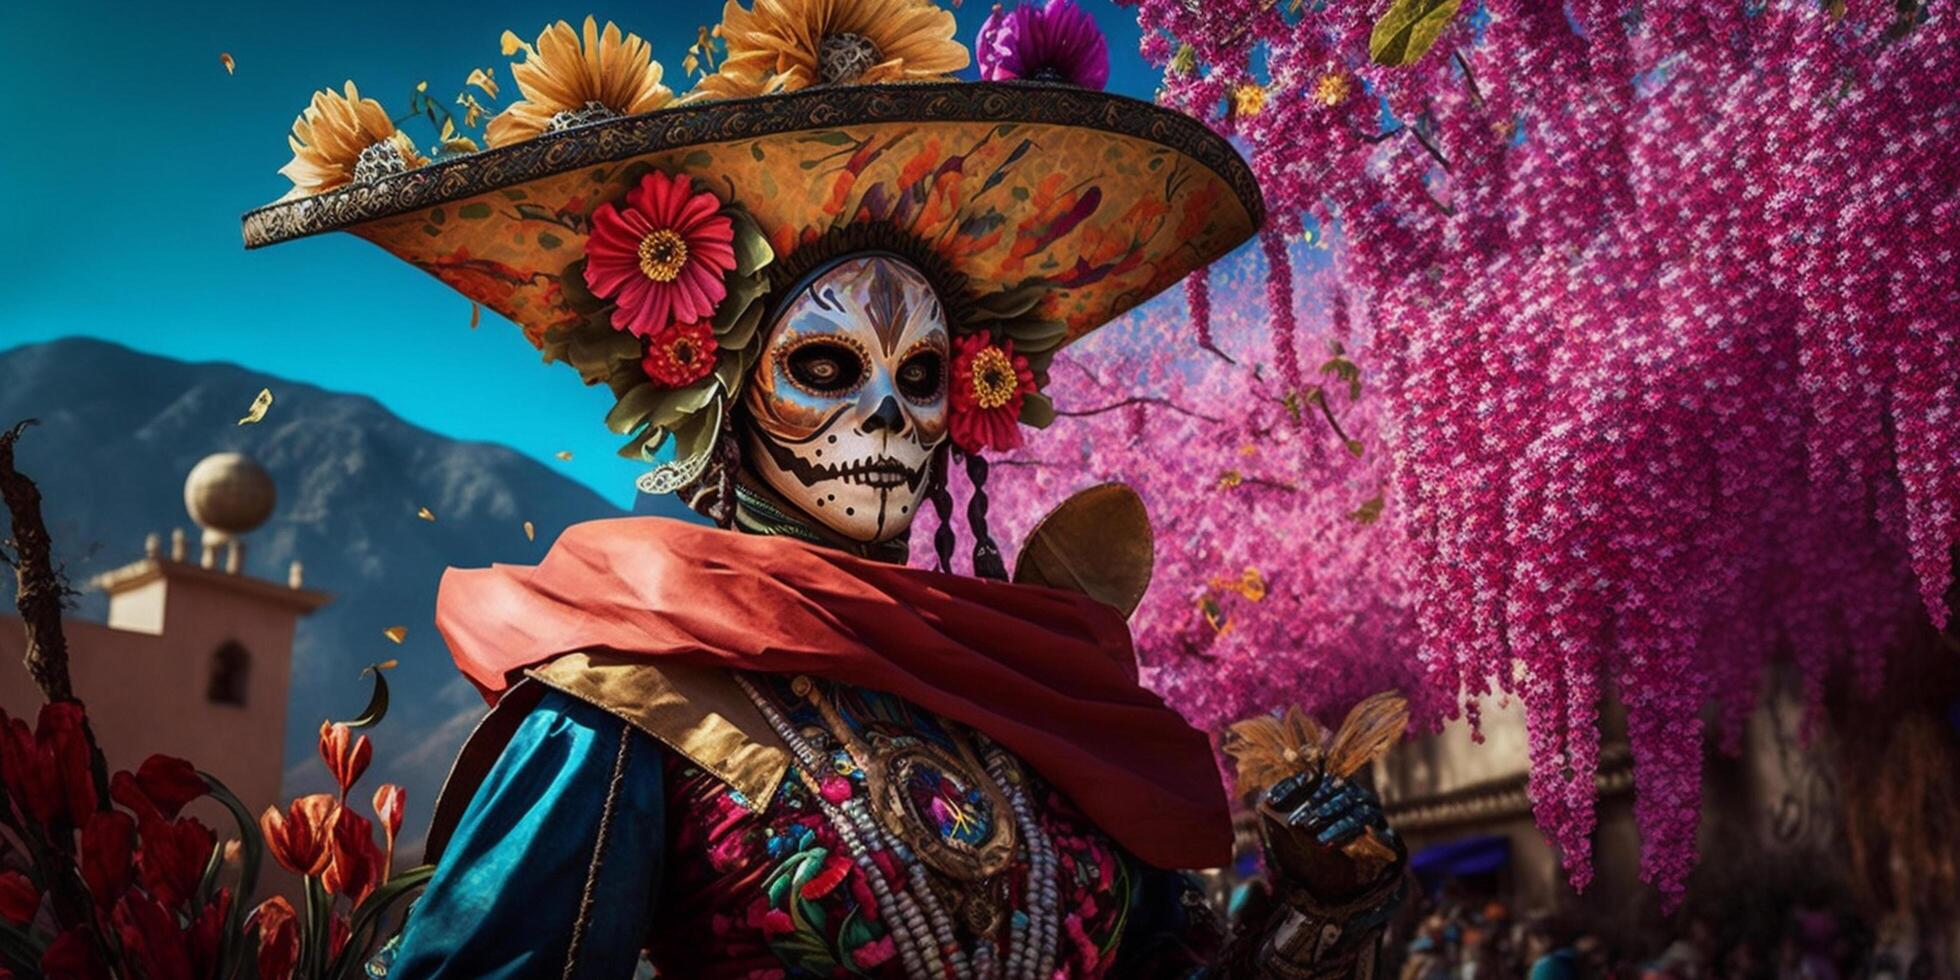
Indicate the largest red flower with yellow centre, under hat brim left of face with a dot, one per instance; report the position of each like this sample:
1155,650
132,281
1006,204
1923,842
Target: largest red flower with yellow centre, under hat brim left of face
661,258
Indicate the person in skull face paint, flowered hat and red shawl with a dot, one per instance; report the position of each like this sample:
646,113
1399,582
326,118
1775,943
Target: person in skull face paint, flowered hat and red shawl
818,285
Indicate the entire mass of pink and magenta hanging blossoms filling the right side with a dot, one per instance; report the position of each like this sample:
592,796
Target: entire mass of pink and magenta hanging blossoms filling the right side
1659,315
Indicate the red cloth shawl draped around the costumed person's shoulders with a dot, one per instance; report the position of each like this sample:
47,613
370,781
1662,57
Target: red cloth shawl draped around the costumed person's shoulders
1046,673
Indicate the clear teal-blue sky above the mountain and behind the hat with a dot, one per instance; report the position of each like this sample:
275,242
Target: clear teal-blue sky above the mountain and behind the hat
130,156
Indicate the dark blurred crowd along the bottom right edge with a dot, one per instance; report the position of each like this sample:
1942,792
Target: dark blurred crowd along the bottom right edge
1453,938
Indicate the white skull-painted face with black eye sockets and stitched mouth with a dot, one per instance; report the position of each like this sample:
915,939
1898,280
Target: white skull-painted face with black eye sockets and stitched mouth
850,399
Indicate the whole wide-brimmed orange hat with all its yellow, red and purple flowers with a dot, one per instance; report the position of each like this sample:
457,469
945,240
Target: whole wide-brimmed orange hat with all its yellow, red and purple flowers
644,236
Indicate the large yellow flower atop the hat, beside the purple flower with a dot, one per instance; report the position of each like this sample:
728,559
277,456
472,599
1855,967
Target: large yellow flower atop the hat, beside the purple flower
783,46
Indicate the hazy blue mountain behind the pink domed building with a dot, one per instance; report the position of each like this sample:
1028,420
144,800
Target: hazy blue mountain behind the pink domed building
122,428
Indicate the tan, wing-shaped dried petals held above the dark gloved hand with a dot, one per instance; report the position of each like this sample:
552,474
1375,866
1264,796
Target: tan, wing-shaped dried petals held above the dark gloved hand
1271,750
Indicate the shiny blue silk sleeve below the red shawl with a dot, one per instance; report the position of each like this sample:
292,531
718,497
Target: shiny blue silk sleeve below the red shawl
556,863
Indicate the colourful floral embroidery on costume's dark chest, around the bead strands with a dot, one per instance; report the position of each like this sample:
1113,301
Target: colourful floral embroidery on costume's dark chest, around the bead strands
779,895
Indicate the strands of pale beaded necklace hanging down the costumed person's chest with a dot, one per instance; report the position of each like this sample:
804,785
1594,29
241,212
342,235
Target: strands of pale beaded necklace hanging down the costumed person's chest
920,924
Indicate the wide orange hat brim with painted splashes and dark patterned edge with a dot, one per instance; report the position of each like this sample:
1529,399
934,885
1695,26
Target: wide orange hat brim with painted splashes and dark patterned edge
1093,201
